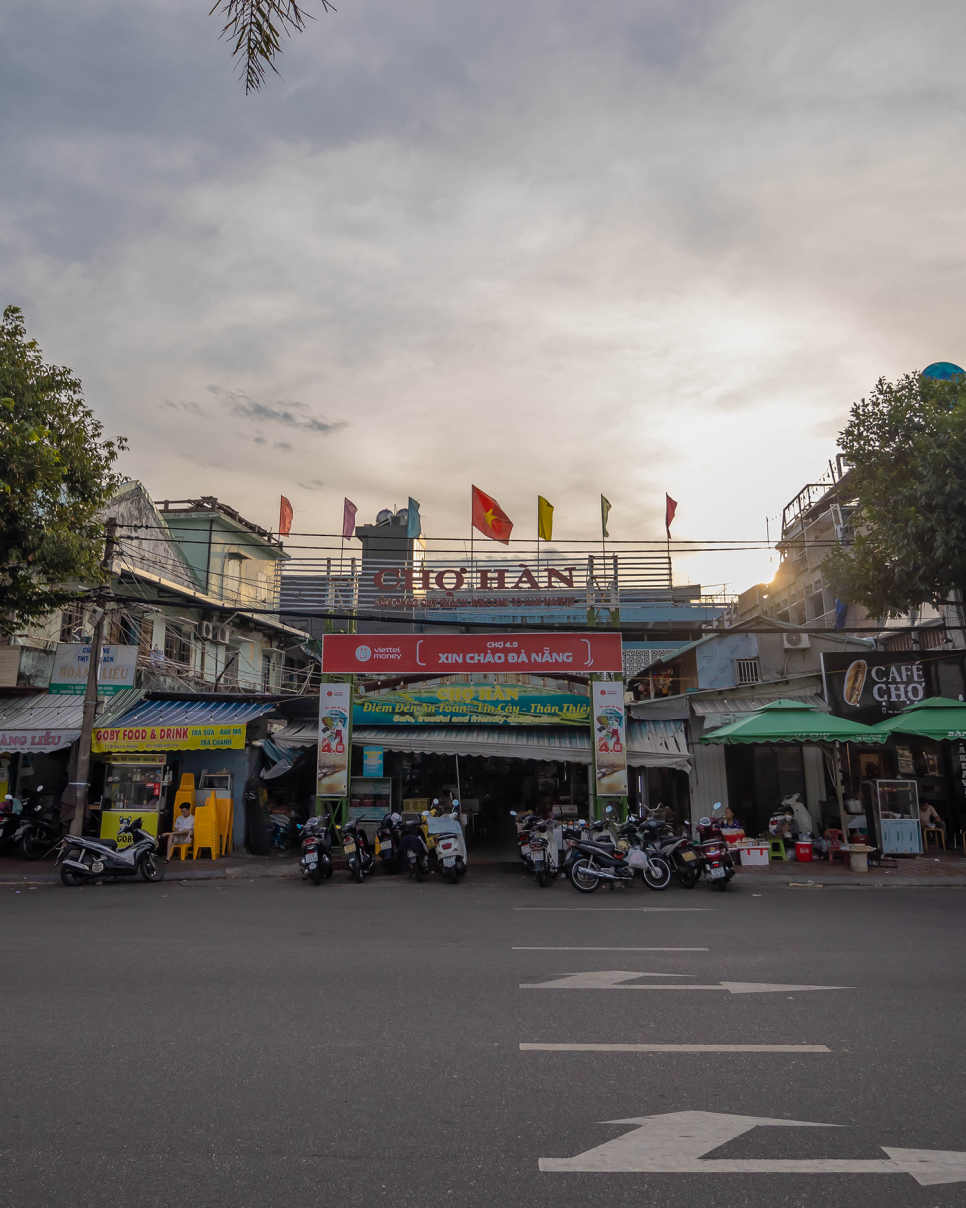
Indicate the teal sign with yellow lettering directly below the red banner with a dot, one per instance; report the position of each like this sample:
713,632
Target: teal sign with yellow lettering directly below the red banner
488,705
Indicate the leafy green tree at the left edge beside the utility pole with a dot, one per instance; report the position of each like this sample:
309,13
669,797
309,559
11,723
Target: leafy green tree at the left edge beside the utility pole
56,475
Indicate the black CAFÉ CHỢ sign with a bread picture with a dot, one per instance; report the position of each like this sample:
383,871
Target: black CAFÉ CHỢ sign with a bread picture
878,684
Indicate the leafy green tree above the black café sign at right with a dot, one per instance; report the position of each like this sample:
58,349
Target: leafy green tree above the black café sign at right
907,446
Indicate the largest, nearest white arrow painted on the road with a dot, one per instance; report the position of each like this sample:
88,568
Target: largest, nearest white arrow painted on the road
677,1142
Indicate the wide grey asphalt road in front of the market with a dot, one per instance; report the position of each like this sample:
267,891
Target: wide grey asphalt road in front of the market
252,1044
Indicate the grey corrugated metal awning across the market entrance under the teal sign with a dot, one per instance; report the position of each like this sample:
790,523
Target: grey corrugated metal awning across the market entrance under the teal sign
650,744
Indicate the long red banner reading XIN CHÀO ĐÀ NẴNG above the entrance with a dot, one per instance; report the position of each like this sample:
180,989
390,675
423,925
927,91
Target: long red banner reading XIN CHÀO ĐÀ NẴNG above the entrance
412,654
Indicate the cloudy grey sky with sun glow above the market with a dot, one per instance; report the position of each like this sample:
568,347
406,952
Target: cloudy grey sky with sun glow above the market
552,248
